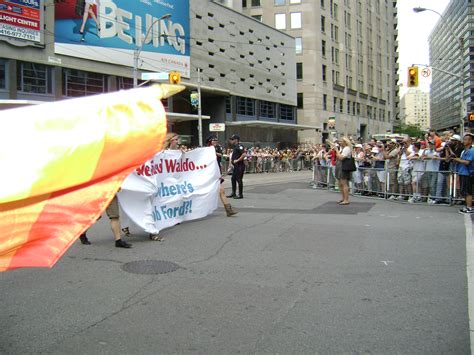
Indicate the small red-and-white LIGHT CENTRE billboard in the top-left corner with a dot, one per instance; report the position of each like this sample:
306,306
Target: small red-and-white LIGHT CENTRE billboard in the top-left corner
21,21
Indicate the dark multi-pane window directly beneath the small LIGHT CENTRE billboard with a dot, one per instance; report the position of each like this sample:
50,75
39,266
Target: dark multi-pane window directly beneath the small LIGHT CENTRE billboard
34,78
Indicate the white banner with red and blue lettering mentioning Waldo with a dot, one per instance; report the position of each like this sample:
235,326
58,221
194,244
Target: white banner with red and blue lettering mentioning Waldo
172,188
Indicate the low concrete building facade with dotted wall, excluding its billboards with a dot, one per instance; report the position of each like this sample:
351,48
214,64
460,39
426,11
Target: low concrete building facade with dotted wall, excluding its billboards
247,74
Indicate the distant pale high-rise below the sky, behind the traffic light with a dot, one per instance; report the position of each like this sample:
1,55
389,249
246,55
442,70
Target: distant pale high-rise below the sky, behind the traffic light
415,109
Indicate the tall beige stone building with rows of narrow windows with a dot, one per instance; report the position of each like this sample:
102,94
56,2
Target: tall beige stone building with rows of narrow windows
346,61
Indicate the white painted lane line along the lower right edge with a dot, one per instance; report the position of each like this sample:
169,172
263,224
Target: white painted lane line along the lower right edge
470,275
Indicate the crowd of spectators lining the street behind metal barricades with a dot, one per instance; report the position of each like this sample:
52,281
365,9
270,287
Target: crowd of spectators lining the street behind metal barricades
412,169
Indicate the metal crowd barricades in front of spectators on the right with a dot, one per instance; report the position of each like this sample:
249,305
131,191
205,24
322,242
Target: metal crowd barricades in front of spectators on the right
440,187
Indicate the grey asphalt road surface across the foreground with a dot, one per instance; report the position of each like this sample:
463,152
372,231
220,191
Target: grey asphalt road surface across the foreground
291,273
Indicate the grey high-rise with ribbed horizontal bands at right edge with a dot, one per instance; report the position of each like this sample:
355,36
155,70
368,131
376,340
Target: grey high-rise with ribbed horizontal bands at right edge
445,56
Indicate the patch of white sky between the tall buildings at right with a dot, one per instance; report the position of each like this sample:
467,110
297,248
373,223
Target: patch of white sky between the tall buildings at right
413,32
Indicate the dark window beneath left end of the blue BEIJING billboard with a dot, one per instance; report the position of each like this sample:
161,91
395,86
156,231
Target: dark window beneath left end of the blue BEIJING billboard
81,83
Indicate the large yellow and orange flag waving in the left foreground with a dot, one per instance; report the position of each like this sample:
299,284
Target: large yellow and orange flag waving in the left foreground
62,164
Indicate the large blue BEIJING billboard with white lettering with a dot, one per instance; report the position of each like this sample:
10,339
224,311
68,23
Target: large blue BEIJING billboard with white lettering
112,30
